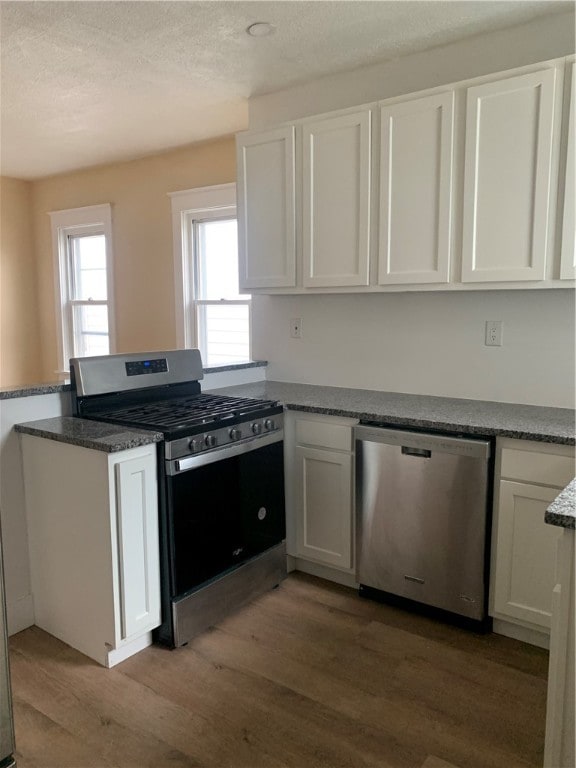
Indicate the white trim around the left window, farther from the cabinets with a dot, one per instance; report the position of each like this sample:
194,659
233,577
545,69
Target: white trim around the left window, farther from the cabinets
78,221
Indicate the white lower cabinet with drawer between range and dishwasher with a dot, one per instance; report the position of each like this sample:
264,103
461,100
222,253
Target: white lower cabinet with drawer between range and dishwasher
320,502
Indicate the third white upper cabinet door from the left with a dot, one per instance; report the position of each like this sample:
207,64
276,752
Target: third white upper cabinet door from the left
416,146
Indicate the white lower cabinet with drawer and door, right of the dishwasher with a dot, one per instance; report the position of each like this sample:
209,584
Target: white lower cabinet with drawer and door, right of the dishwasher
529,476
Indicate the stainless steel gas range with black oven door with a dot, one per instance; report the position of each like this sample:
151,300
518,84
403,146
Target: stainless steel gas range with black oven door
221,480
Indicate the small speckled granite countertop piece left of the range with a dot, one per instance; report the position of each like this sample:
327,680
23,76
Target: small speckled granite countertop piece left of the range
109,438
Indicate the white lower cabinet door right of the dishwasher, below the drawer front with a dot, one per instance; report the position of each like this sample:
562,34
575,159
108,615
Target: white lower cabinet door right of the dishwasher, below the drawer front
525,553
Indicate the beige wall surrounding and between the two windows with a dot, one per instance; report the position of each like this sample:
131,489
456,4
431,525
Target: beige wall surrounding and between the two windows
142,234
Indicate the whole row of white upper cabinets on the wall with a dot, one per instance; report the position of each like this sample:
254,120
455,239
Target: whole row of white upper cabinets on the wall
461,187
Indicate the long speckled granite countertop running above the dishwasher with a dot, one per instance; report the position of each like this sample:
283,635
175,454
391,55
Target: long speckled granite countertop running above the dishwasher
528,422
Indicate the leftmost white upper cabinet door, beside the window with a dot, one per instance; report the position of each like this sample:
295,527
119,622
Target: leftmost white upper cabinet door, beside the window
266,209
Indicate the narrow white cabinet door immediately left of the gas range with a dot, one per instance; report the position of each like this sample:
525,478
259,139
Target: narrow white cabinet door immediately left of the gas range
137,528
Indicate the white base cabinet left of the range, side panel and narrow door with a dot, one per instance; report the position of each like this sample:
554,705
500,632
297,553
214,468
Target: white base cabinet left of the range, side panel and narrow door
93,536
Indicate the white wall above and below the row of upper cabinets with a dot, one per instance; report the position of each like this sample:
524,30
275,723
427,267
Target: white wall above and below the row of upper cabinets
425,343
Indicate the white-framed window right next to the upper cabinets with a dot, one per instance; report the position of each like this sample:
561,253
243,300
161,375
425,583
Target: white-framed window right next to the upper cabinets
211,314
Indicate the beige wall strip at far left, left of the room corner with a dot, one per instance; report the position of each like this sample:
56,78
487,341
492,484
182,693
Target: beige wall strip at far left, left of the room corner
20,360
